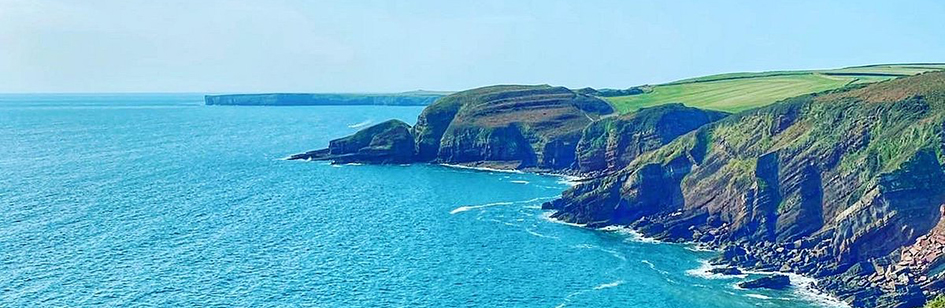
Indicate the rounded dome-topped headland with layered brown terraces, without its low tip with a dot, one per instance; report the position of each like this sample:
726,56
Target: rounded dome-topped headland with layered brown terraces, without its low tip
520,126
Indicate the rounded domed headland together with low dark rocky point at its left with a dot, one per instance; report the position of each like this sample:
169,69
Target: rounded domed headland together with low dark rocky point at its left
500,126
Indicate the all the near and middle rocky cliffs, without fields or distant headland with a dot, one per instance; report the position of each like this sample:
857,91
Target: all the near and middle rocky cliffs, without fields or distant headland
845,186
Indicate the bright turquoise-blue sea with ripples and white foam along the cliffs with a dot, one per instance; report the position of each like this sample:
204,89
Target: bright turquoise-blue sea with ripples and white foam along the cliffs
154,200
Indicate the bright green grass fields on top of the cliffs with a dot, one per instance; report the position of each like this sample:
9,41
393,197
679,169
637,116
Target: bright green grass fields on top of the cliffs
735,92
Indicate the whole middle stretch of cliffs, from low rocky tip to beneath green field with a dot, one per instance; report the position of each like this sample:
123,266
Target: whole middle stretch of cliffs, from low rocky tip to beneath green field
526,127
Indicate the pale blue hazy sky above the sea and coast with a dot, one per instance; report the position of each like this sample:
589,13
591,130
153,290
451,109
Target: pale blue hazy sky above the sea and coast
236,46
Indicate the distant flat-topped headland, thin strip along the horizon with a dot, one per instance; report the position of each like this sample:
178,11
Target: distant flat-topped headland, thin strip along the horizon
416,98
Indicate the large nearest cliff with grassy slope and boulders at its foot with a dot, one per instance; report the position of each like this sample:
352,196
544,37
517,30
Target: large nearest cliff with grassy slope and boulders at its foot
831,185
